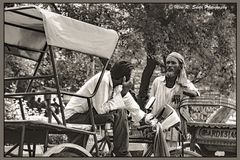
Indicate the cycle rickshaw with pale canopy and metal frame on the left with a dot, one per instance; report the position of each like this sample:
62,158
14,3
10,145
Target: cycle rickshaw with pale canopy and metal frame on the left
32,33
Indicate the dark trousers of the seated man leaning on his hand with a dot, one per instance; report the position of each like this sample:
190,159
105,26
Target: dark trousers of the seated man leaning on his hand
120,129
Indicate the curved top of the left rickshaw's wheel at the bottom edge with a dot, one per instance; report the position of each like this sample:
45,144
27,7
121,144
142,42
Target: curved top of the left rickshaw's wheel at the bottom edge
67,150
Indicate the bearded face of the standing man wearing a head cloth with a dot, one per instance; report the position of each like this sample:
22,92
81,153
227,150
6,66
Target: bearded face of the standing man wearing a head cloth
172,66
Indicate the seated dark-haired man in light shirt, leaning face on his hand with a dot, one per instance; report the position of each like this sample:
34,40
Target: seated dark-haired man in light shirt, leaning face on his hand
110,103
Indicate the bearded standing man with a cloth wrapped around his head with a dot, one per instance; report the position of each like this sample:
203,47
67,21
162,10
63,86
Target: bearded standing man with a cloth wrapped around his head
169,89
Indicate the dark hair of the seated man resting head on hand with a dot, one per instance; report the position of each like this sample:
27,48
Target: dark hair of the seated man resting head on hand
121,69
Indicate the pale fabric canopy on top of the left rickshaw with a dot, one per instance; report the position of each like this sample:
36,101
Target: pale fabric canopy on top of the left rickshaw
34,28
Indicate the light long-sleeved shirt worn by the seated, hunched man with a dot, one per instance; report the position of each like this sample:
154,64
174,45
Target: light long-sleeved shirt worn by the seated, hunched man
105,100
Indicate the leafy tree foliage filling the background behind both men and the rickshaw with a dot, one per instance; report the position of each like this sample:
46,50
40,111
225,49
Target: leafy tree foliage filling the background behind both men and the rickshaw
148,32
